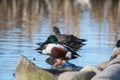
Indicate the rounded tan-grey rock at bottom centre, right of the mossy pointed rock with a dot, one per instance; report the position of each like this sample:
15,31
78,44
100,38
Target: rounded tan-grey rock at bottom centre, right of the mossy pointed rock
84,74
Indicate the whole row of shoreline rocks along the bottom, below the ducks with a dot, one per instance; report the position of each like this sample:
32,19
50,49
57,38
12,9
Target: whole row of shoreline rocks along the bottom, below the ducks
109,70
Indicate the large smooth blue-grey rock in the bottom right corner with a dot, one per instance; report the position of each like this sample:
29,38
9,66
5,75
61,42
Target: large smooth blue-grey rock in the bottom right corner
111,72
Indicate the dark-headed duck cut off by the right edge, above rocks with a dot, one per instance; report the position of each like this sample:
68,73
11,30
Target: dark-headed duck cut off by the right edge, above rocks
116,51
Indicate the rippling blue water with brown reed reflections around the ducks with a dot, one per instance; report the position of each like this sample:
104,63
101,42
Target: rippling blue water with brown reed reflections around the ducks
23,23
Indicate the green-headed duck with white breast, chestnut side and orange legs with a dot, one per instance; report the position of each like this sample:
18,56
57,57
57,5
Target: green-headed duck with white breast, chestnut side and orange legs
57,50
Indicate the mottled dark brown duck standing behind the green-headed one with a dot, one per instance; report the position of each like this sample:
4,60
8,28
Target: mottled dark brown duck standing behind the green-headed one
72,41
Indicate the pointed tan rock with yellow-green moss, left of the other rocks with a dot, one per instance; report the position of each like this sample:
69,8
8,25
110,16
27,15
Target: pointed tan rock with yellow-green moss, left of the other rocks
28,71
